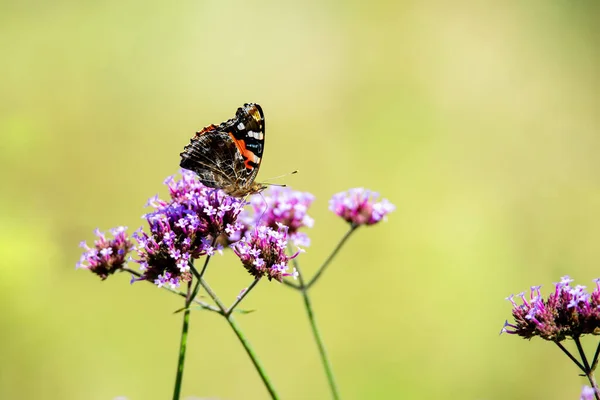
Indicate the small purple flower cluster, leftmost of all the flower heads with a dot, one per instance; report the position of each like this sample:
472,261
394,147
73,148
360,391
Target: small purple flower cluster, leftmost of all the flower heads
107,255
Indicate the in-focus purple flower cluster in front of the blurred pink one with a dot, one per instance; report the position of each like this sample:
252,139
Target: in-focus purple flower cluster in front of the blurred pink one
263,252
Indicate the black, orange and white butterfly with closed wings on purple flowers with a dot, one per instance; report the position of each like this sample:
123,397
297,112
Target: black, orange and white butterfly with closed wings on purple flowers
228,156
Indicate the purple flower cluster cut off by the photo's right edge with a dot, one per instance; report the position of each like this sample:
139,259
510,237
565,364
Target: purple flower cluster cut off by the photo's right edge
568,312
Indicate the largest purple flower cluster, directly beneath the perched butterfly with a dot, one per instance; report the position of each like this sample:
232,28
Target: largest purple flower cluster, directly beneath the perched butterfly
184,229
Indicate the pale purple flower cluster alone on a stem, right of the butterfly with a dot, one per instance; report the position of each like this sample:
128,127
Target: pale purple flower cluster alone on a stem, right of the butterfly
359,206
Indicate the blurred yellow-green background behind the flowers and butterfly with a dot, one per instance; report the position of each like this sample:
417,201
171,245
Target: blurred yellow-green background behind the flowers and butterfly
479,120
